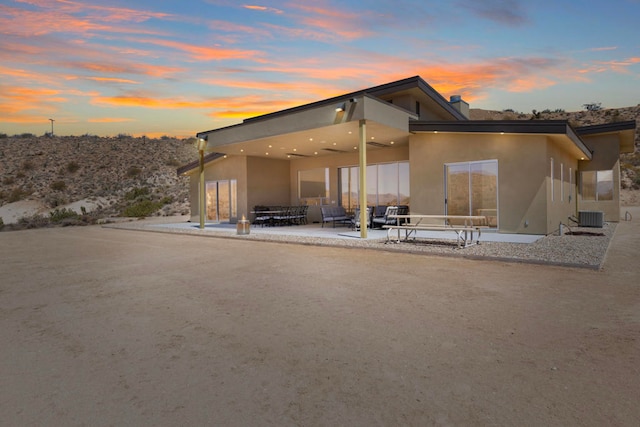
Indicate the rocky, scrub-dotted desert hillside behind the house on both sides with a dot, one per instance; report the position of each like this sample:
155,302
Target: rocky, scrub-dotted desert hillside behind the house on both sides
125,176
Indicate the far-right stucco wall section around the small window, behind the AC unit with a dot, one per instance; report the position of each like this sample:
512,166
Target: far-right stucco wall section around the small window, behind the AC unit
606,156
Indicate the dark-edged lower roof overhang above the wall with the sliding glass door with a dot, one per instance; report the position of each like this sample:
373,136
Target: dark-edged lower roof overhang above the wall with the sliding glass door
559,130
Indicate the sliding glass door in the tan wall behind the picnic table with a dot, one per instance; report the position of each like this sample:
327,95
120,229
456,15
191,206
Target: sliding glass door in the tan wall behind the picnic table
472,189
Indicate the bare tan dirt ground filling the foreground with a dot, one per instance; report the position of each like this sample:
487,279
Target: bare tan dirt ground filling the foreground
111,327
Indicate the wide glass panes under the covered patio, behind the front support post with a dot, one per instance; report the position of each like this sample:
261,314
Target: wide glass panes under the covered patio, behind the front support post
387,184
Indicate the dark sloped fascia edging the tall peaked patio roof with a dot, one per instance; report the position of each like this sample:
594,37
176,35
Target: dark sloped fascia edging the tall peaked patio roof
376,92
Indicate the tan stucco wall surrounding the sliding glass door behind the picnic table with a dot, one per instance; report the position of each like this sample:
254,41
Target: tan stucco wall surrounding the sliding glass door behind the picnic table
522,175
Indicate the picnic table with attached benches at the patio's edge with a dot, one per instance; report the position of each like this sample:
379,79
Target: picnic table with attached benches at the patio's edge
465,227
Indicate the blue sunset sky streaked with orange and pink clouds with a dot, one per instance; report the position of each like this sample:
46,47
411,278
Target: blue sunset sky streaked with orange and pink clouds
159,67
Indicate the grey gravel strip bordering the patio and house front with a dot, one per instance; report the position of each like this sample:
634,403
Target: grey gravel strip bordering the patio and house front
585,248
